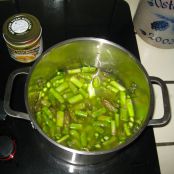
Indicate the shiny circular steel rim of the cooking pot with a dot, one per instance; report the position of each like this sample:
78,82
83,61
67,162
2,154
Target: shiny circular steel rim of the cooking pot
119,147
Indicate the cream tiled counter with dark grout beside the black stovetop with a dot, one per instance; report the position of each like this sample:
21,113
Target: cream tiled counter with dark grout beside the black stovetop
160,63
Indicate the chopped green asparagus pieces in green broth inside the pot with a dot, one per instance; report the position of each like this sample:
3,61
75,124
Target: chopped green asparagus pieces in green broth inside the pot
85,109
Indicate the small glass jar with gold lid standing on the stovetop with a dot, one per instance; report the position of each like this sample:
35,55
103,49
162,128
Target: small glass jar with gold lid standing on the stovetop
22,33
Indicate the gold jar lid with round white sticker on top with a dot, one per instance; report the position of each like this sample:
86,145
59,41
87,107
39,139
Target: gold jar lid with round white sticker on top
21,29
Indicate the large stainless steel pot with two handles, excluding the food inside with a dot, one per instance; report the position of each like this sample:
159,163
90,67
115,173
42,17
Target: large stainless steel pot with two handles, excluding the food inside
111,57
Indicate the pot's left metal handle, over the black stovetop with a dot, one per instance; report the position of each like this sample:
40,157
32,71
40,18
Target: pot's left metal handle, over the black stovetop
8,91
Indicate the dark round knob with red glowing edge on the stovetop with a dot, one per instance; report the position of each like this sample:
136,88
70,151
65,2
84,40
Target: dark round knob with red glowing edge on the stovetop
7,148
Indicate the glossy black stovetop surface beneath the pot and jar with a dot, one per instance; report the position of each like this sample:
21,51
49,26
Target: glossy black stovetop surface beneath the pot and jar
62,20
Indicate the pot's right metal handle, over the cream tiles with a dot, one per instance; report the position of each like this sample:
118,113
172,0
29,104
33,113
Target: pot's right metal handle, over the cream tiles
166,104
